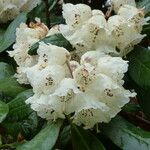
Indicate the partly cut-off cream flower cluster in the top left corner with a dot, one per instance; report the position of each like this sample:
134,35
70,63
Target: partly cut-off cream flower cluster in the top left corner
9,9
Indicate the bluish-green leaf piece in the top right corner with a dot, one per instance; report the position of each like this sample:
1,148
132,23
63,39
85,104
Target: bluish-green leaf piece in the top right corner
144,3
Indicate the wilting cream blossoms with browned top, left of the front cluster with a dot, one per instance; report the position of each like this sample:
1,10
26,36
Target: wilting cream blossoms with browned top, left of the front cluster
26,37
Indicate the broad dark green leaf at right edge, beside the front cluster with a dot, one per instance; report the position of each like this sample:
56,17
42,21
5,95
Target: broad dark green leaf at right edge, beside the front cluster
139,66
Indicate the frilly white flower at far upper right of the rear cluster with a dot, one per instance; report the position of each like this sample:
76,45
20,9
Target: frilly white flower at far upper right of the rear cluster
134,15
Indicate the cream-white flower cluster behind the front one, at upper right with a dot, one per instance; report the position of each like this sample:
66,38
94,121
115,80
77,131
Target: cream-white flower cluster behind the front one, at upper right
88,29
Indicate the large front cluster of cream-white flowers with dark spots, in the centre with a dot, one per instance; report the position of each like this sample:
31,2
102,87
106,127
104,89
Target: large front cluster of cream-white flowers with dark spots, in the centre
90,90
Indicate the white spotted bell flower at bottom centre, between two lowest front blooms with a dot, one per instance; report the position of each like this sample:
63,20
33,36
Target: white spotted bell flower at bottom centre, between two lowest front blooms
66,96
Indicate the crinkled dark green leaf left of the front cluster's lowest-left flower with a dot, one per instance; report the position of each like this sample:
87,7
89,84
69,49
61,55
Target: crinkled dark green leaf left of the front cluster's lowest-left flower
19,111
